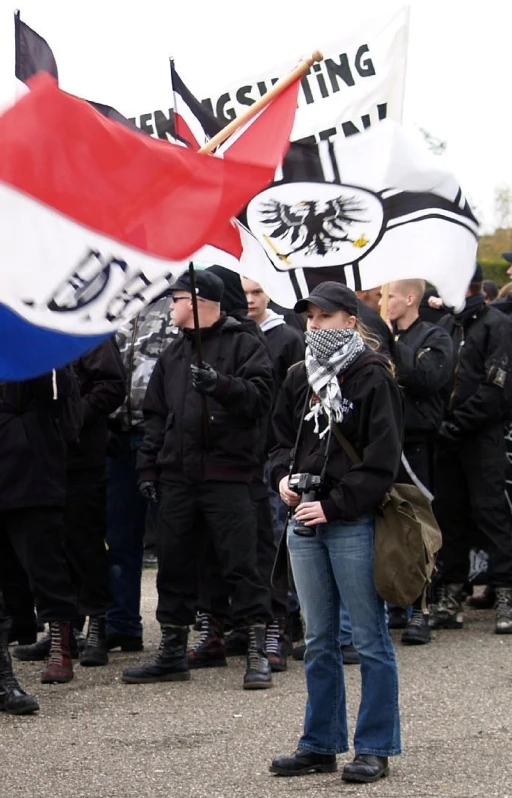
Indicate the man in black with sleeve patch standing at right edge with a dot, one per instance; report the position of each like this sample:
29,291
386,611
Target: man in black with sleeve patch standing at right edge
470,472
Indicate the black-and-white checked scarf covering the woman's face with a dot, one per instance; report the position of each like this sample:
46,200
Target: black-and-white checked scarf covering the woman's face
329,353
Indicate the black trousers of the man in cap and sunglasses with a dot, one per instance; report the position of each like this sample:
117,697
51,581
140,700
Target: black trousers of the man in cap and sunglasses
224,511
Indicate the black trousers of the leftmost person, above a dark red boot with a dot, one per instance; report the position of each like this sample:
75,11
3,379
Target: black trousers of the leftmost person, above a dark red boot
35,535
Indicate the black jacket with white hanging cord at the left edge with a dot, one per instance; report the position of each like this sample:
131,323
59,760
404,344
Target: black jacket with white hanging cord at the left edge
32,443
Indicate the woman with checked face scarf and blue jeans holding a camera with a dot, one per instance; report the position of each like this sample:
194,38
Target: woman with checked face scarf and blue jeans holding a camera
342,384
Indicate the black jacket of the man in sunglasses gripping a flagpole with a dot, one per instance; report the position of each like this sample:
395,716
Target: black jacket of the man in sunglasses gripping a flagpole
174,447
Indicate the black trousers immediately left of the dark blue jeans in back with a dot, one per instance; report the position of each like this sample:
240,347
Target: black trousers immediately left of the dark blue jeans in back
85,519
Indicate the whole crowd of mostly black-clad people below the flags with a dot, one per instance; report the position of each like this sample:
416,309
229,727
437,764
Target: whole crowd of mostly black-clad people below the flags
214,417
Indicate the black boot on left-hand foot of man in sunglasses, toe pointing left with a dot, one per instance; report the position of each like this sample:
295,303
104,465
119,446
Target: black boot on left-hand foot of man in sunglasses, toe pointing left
170,663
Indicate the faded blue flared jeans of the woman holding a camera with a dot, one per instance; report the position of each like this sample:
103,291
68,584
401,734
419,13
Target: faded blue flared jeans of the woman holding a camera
332,569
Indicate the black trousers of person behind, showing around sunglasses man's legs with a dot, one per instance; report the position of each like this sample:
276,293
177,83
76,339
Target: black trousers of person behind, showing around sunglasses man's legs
213,590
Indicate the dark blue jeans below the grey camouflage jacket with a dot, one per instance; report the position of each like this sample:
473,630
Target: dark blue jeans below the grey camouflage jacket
125,536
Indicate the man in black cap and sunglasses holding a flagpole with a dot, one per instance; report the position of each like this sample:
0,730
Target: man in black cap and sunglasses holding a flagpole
203,422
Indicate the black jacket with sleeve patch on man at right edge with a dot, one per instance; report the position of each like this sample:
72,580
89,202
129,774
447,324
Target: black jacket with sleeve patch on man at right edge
483,359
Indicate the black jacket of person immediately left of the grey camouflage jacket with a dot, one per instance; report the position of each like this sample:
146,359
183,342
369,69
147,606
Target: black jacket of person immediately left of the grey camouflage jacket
102,379
